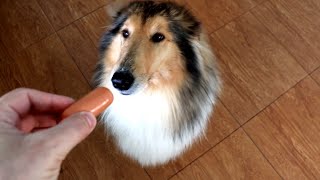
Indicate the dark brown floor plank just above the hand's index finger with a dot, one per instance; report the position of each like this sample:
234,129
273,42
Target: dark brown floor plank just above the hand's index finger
47,66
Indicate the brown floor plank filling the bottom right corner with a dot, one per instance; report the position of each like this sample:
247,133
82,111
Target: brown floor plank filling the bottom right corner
288,132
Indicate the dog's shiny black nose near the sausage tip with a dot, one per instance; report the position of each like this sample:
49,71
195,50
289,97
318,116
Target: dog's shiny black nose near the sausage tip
122,80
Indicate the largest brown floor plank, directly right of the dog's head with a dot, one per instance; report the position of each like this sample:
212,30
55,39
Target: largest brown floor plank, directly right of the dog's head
256,69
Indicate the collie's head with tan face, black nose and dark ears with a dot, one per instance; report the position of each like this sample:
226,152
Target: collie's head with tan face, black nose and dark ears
148,47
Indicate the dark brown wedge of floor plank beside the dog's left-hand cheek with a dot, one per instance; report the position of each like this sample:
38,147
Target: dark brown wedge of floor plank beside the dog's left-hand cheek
82,39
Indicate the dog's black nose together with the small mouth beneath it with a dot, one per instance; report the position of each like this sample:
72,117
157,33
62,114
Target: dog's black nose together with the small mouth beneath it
124,81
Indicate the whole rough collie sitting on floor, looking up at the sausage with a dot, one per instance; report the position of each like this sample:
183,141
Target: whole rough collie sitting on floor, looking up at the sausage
156,60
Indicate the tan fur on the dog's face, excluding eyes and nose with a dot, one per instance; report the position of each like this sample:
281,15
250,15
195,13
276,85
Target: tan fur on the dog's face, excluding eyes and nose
158,64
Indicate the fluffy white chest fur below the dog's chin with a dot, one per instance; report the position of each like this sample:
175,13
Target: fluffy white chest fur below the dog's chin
141,125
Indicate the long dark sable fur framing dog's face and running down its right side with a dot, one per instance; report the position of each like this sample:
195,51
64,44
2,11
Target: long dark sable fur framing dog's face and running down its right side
197,95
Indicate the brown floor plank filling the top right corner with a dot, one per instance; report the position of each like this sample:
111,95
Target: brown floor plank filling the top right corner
297,25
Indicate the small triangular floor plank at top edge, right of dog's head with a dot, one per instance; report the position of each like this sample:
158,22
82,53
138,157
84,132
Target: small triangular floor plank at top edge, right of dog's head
215,14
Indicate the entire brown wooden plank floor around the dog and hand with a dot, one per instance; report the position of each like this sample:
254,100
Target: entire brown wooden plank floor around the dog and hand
267,123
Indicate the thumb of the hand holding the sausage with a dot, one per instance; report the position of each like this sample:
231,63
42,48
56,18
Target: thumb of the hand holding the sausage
70,132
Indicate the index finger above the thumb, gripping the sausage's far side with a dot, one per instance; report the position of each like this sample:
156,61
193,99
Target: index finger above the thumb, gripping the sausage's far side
21,100
